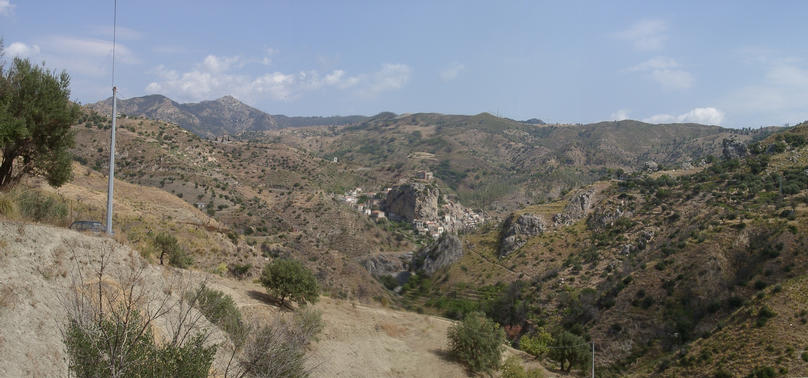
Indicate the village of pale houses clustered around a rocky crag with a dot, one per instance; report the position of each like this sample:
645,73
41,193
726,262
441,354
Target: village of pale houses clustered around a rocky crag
418,202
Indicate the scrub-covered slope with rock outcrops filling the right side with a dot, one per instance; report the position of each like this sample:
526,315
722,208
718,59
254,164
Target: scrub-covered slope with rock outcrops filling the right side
675,273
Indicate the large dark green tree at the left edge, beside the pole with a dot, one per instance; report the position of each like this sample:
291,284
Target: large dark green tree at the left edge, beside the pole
35,118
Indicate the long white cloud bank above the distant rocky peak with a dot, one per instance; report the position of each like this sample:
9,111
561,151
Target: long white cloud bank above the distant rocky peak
216,76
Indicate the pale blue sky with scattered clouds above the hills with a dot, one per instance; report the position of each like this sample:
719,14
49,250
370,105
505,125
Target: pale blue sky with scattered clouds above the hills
730,63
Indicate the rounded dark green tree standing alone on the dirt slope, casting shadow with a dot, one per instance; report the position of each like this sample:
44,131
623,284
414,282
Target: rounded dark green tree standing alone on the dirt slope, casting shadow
289,279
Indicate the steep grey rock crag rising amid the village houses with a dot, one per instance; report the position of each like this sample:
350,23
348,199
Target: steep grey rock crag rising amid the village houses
412,201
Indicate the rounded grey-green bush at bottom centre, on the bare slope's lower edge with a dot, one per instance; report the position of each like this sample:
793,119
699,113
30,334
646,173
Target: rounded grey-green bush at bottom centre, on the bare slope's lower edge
478,342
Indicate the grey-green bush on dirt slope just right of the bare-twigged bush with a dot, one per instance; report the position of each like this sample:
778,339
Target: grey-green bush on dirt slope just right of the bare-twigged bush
218,307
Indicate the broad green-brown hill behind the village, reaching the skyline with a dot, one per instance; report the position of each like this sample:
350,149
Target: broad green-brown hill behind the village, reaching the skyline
500,164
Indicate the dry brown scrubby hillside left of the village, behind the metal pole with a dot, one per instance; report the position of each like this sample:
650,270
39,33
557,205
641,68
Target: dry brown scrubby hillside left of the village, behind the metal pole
269,199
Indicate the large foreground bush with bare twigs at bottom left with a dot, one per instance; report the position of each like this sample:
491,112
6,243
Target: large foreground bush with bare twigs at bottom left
109,332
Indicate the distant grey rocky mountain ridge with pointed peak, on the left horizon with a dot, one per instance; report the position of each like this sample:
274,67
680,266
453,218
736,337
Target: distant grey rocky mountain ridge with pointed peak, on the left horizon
223,116
